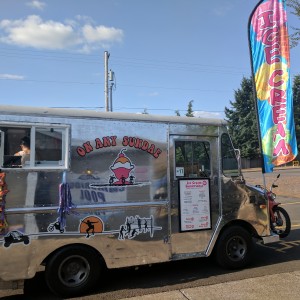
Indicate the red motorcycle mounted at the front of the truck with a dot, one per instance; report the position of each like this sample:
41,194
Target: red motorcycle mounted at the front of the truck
279,218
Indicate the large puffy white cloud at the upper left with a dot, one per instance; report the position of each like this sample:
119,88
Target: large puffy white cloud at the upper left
37,33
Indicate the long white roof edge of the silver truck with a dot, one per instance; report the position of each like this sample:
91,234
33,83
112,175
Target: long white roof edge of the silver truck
90,114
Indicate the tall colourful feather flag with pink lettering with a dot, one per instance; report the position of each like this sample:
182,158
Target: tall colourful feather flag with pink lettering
270,61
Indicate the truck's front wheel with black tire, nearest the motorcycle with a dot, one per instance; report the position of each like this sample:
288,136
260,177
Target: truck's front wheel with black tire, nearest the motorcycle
234,249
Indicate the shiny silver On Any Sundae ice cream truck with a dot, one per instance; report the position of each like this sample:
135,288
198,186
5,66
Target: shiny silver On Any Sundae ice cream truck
109,190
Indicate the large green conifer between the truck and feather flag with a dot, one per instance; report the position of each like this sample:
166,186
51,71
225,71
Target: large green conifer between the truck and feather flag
242,120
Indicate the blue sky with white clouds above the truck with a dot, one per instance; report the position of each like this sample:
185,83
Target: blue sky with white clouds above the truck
163,53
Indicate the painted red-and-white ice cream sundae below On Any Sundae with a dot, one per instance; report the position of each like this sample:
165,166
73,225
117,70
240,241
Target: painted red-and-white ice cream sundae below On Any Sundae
121,168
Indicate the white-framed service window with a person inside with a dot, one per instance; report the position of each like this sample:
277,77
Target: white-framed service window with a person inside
34,147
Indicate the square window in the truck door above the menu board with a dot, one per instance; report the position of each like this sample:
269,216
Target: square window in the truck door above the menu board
192,159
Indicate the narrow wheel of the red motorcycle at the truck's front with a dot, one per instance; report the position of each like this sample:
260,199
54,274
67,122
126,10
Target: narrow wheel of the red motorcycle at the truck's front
282,225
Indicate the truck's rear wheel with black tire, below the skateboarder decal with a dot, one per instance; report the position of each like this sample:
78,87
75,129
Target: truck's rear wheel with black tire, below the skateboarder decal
73,271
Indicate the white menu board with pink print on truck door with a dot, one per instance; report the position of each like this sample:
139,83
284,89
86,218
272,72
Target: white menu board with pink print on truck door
194,196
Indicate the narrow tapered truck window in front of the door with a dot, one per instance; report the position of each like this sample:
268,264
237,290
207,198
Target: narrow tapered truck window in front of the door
229,161
